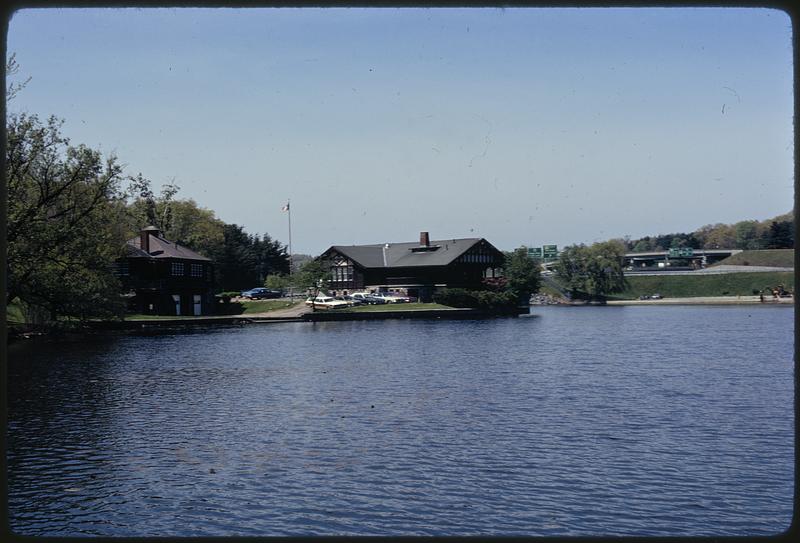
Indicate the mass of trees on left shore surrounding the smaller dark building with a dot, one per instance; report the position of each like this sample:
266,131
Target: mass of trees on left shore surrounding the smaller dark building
70,210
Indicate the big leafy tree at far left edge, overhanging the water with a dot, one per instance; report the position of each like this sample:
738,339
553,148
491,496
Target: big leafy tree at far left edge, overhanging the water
62,233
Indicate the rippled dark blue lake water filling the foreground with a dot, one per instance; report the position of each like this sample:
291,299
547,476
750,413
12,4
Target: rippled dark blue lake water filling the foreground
666,421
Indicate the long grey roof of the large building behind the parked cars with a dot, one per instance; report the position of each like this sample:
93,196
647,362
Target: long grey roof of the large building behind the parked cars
395,255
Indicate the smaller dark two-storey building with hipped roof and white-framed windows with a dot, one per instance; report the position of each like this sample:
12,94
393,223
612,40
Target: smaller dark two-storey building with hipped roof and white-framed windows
161,277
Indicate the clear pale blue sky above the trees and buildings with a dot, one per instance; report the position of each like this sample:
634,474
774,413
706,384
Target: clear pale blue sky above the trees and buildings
523,126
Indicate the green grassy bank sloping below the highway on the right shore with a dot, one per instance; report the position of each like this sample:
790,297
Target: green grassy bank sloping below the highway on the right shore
684,286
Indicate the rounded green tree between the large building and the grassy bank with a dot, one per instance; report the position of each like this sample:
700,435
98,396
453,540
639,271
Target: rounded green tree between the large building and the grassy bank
595,270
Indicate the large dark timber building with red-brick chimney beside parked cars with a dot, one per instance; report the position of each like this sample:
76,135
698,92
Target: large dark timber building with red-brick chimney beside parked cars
413,268
